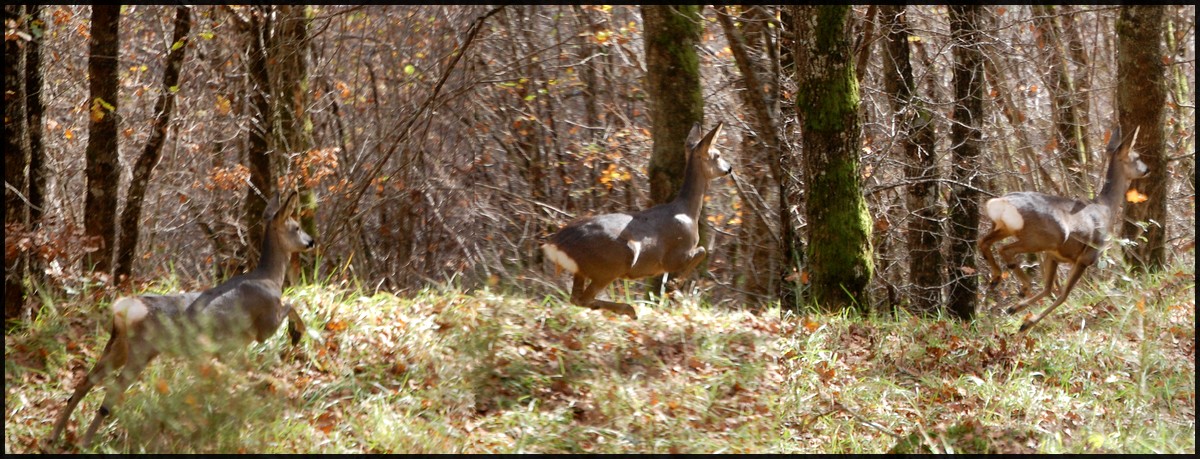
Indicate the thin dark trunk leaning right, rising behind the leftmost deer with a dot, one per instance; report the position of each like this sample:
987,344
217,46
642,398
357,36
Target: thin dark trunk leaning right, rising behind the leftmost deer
131,217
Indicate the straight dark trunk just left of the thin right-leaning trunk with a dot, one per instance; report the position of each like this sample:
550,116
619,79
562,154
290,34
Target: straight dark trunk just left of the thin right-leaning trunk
104,176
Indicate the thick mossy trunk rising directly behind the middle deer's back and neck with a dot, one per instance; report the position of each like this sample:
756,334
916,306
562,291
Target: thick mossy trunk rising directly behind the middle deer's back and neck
673,85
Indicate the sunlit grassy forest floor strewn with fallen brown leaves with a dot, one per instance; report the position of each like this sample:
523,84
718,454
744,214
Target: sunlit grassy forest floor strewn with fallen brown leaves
445,372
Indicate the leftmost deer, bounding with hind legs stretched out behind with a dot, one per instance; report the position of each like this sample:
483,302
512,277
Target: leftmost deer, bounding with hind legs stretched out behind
243,309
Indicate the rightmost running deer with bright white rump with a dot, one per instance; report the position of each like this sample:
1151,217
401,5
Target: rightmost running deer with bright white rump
1063,230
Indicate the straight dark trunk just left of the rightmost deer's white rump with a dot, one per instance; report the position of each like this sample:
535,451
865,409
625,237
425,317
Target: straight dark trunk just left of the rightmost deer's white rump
965,138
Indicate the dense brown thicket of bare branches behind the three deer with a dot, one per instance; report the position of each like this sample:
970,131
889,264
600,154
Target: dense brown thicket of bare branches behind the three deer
442,144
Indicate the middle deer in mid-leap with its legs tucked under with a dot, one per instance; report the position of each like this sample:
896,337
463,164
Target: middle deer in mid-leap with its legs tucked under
602,249
